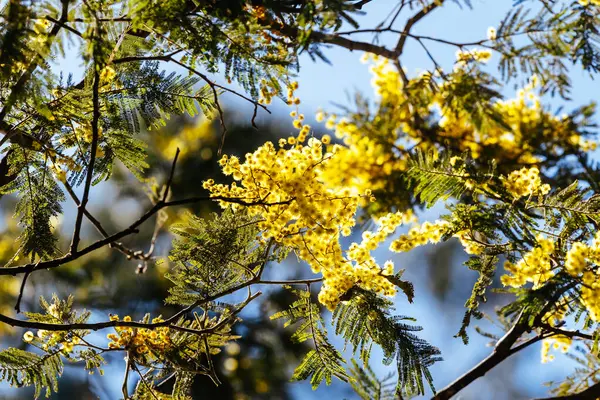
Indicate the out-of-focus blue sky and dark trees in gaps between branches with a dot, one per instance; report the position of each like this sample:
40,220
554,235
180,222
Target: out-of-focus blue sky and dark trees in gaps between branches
260,364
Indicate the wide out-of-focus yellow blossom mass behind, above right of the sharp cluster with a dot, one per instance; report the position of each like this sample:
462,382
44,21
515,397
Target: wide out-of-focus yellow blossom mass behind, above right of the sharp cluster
373,150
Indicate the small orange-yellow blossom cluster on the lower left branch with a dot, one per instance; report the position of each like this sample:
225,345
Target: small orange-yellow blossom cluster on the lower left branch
140,341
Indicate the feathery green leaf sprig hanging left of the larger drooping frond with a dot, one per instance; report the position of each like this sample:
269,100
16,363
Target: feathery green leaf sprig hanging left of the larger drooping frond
323,362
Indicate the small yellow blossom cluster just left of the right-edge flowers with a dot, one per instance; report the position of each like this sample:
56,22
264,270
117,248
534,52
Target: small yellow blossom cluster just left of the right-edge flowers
535,266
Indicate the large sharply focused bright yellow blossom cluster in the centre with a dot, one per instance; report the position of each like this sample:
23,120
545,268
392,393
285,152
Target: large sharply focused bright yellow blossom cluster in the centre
298,209
